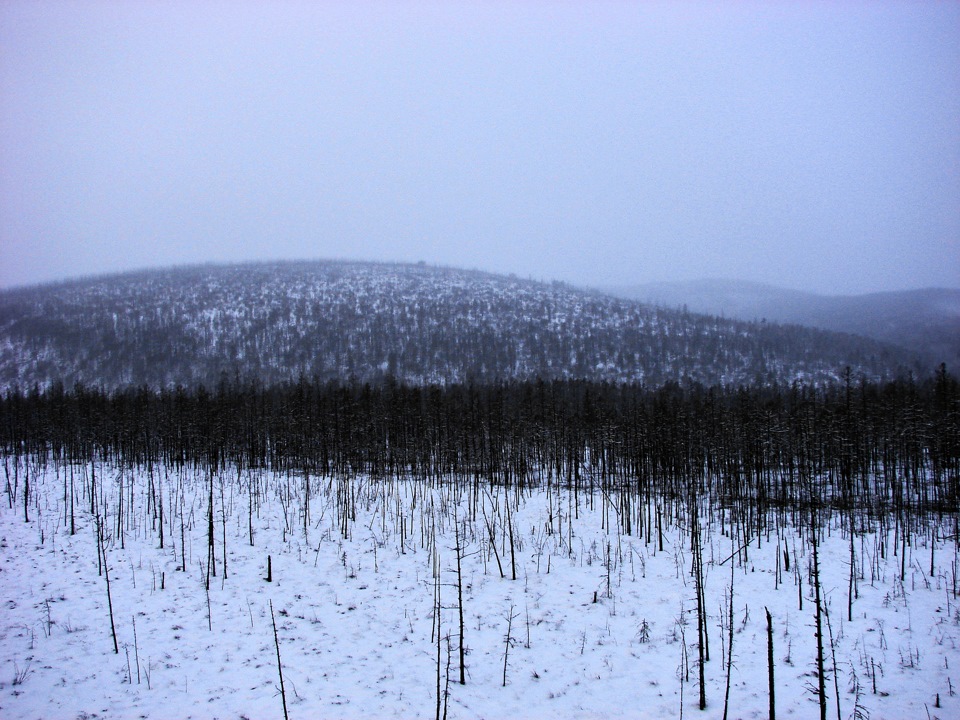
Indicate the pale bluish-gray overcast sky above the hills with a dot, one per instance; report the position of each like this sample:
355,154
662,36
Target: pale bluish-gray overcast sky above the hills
810,145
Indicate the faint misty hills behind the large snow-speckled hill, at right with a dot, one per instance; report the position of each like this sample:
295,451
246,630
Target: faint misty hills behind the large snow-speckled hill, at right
924,321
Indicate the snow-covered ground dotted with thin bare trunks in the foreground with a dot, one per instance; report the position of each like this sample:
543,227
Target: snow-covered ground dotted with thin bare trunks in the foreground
603,623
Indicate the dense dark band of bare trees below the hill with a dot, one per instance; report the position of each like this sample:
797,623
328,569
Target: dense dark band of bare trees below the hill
881,446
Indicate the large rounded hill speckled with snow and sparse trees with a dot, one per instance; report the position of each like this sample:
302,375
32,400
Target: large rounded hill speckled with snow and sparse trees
275,322
